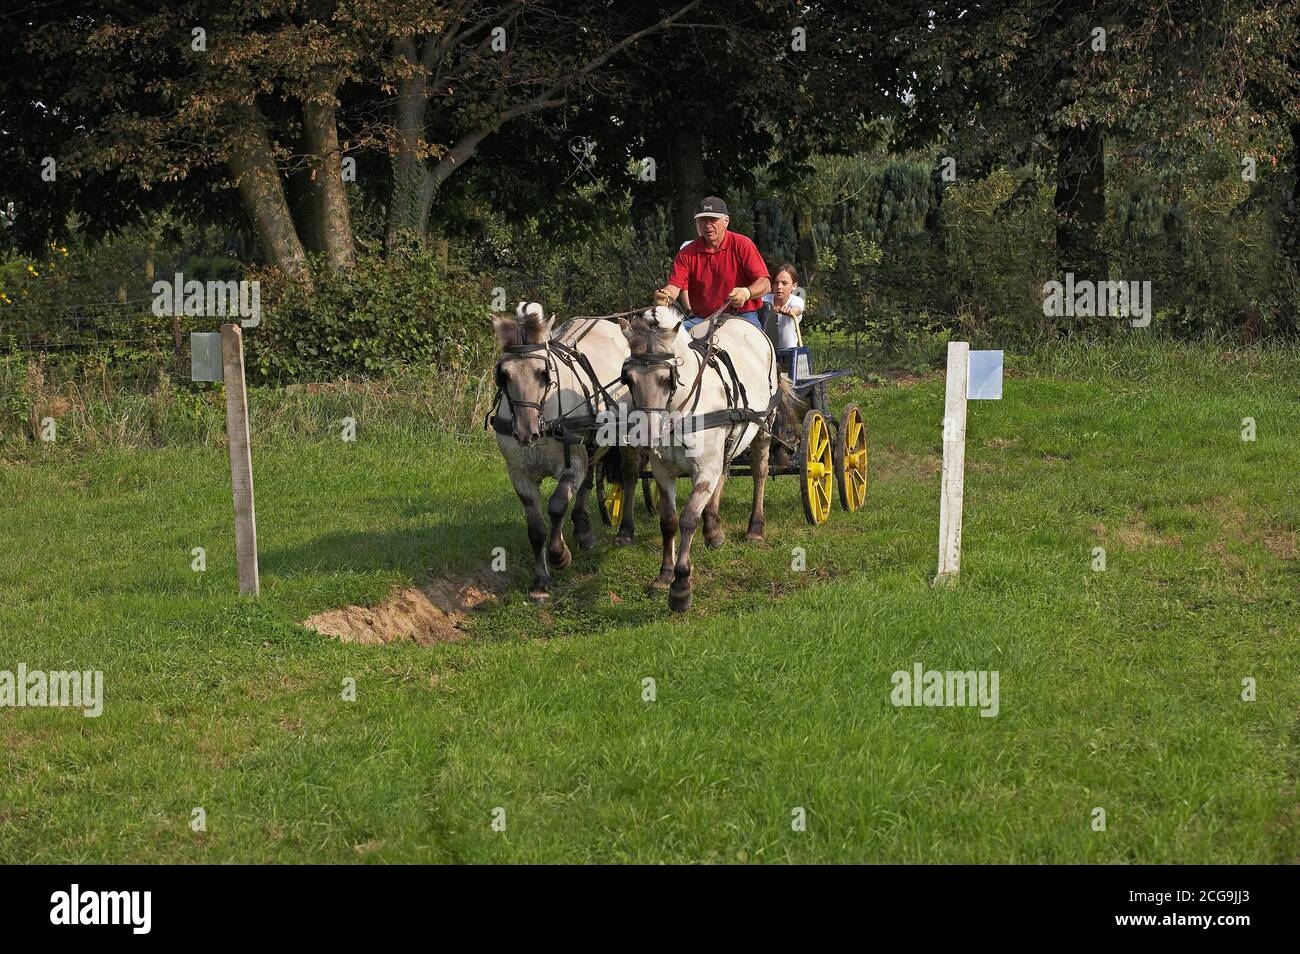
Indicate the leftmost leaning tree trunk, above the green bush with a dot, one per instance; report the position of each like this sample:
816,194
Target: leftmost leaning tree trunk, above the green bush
254,167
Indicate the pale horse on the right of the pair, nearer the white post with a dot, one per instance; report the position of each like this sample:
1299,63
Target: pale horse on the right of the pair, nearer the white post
720,392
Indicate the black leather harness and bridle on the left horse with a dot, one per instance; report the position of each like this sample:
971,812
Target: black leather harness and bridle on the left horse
570,428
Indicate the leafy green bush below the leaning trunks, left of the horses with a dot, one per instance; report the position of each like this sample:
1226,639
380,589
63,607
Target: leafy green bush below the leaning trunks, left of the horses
382,315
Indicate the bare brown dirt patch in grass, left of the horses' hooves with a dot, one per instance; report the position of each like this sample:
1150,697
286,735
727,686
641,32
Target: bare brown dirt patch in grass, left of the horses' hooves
424,614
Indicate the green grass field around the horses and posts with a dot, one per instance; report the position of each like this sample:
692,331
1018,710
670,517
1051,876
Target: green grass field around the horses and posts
1120,690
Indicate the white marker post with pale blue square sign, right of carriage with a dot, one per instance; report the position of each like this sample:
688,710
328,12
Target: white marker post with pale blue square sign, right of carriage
976,376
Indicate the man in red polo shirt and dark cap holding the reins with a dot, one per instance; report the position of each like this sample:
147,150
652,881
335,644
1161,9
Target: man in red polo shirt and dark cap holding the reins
718,268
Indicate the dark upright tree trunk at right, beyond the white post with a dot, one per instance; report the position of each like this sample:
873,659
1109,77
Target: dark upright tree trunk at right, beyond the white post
1081,203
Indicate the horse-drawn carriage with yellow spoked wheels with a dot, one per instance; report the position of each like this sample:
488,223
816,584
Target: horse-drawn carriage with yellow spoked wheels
827,453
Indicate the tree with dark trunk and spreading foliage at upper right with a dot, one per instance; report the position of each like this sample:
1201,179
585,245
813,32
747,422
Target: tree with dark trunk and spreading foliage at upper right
1013,83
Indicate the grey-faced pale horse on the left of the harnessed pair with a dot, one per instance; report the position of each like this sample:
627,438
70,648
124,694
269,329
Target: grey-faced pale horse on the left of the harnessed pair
549,396
